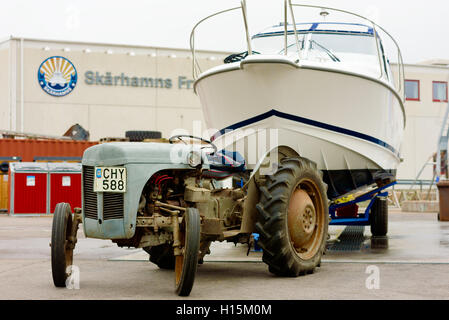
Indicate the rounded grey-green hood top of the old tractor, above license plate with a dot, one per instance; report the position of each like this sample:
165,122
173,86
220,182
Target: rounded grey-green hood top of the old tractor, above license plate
121,153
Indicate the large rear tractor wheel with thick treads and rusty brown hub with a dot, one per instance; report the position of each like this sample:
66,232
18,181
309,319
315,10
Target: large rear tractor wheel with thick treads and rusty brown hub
293,218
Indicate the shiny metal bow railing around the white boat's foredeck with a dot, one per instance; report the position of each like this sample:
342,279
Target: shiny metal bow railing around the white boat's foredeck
288,6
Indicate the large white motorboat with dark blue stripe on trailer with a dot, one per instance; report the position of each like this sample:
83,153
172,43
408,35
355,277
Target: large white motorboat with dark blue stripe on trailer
327,90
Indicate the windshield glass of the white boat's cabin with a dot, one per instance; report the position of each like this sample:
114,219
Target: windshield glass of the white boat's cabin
321,46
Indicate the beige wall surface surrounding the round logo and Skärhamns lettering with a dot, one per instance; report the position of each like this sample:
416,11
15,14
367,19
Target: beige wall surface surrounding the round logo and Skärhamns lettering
107,110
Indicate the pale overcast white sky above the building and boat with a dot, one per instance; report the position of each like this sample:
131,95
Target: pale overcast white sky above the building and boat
420,27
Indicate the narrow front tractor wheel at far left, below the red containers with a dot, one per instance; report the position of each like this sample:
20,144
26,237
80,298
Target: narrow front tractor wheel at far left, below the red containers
61,244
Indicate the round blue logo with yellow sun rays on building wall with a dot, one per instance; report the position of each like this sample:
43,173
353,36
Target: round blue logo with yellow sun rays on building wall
57,76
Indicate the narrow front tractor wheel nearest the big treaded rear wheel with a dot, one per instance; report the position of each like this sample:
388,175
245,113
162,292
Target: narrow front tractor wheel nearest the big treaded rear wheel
186,263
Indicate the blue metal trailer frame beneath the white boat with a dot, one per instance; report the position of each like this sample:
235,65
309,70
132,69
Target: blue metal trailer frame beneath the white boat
361,220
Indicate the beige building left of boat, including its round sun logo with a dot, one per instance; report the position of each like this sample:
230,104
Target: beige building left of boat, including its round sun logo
117,88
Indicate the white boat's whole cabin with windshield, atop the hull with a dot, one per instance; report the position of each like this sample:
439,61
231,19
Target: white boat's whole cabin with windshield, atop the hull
348,46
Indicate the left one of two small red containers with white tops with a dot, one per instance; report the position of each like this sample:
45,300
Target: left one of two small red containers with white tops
29,188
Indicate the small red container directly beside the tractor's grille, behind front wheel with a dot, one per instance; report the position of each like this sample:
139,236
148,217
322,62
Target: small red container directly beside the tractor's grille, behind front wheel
65,184
